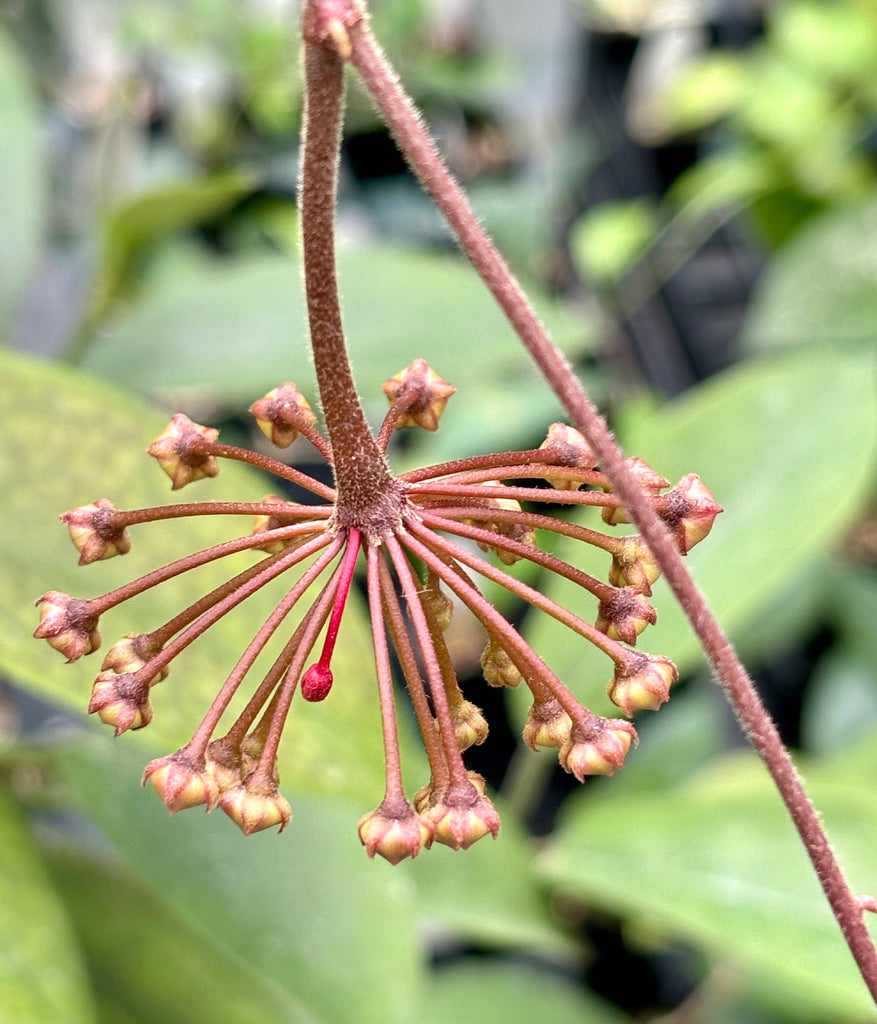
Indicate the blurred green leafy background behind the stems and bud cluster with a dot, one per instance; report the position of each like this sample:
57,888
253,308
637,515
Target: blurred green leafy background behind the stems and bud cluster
173,199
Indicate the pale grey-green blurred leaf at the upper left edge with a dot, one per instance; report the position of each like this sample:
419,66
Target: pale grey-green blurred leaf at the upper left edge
23,181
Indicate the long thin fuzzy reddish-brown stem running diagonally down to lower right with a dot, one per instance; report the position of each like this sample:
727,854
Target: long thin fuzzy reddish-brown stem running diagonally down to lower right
422,153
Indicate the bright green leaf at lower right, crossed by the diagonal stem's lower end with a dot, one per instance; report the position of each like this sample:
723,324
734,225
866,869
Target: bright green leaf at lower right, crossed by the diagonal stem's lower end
718,864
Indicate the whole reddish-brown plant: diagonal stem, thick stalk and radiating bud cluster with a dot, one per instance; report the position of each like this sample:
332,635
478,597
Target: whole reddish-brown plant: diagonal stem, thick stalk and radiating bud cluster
417,534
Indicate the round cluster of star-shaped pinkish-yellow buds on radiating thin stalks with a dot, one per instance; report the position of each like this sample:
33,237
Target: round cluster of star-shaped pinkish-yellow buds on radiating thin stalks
450,513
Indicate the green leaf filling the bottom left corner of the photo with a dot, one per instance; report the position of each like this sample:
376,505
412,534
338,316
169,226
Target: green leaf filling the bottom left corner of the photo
41,972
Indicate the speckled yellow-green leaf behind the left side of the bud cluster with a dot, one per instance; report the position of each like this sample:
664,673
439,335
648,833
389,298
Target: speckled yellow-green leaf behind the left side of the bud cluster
71,440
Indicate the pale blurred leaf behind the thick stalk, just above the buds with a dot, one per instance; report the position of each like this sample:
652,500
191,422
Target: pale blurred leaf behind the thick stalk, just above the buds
240,330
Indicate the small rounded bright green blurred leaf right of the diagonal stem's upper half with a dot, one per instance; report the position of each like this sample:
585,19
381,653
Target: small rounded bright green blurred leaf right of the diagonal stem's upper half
609,239
